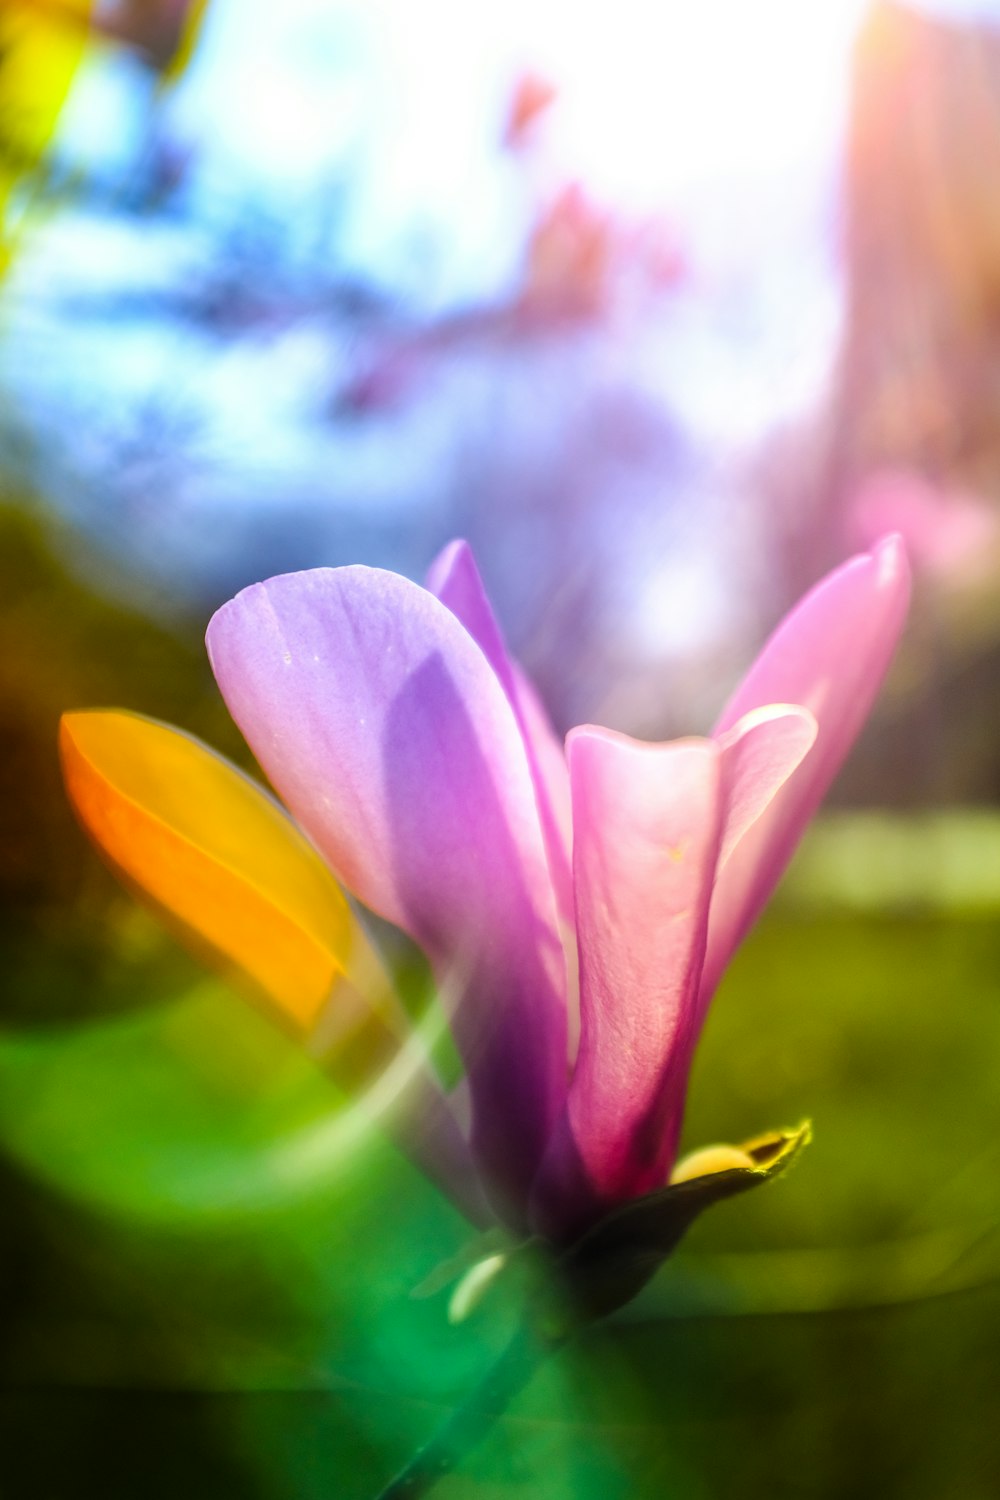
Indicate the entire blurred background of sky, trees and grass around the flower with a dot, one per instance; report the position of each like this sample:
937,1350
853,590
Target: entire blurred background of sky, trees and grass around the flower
668,308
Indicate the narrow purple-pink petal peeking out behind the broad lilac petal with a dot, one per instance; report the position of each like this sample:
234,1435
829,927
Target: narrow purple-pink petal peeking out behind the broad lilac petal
457,581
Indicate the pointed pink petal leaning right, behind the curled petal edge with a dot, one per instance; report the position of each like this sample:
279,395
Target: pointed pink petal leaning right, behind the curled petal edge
830,656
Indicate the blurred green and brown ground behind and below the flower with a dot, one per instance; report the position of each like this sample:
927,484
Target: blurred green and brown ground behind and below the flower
206,1271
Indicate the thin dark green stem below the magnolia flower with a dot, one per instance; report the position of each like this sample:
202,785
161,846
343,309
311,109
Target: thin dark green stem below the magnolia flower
470,1423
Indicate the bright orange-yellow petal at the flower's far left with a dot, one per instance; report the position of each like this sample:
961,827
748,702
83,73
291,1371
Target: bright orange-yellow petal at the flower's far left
215,851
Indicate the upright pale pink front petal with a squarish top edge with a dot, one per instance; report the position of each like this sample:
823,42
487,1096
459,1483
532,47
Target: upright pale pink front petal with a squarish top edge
647,823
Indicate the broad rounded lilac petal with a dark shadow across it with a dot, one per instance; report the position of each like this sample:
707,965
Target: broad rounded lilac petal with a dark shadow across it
388,734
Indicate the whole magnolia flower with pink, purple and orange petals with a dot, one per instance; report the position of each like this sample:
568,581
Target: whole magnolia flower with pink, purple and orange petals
578,908
